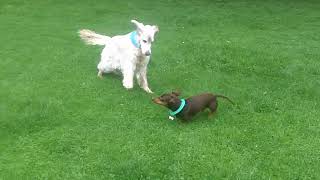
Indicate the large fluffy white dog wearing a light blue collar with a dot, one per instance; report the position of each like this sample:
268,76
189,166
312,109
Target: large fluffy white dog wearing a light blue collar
128,53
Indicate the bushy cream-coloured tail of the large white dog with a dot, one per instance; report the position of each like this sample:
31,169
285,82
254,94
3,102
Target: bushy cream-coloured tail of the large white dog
93,38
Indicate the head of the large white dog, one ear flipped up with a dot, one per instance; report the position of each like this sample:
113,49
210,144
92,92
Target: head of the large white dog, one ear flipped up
145,35
